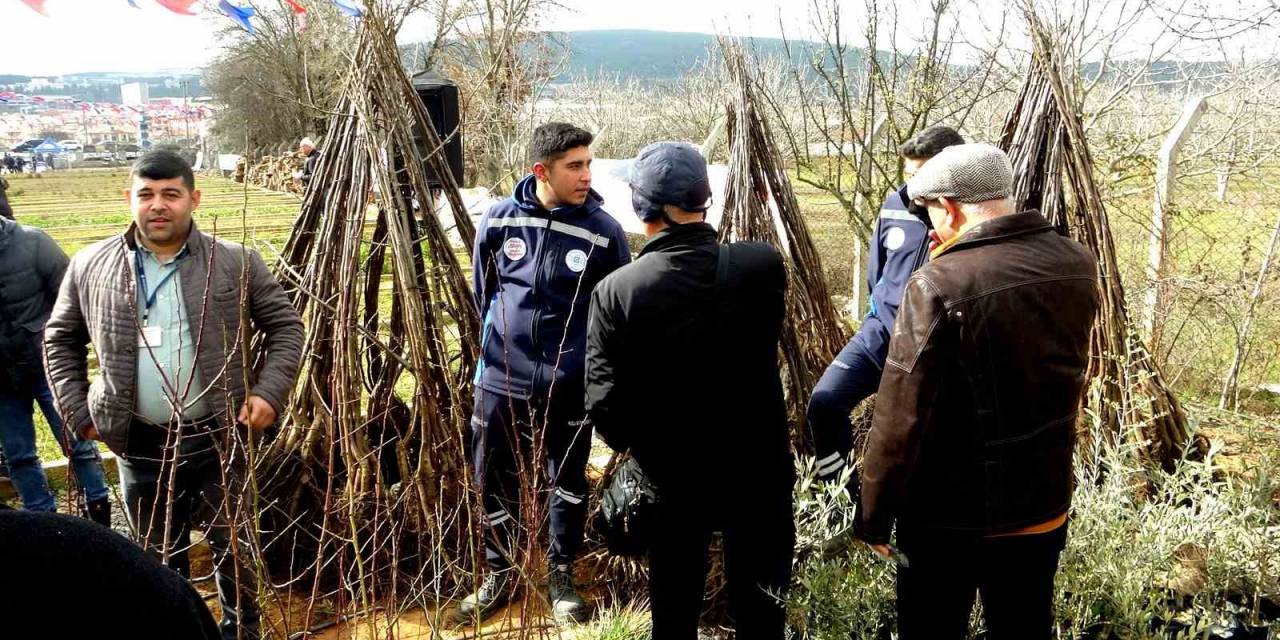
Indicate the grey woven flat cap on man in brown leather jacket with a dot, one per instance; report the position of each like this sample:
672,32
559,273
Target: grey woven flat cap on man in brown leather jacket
964,173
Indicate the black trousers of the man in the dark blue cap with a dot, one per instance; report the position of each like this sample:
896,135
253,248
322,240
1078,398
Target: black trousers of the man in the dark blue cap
760,542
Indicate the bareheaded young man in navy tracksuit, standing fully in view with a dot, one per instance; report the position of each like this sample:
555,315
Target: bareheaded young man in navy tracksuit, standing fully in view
538,255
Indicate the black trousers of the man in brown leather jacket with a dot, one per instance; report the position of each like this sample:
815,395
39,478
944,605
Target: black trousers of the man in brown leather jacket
1014,575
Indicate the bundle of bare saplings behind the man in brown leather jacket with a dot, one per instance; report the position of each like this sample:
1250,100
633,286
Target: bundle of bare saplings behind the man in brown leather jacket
1054,173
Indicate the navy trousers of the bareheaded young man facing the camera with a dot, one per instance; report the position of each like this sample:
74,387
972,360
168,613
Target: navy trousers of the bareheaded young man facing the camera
502,450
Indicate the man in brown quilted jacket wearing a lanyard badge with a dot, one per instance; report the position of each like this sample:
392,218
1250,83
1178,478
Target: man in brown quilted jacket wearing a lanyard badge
164,307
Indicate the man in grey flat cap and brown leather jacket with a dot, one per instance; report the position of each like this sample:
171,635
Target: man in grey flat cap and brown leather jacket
971,447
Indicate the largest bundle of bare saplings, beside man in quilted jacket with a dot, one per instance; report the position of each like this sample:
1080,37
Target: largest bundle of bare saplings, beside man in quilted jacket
364,493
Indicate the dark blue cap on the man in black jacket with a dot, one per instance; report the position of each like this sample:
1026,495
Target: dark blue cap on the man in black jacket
669,173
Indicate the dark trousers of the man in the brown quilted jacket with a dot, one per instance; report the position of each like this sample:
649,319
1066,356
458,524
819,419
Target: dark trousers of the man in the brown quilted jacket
207,493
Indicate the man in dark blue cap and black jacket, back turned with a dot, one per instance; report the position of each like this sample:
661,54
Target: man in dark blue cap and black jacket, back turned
683,372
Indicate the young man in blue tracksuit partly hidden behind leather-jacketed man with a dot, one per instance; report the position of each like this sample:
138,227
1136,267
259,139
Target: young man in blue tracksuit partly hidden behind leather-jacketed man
899,245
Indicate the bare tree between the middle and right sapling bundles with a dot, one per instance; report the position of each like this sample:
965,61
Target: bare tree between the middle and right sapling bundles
848,92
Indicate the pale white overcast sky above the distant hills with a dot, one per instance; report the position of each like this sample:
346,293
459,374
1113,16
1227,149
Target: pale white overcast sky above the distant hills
108,35
